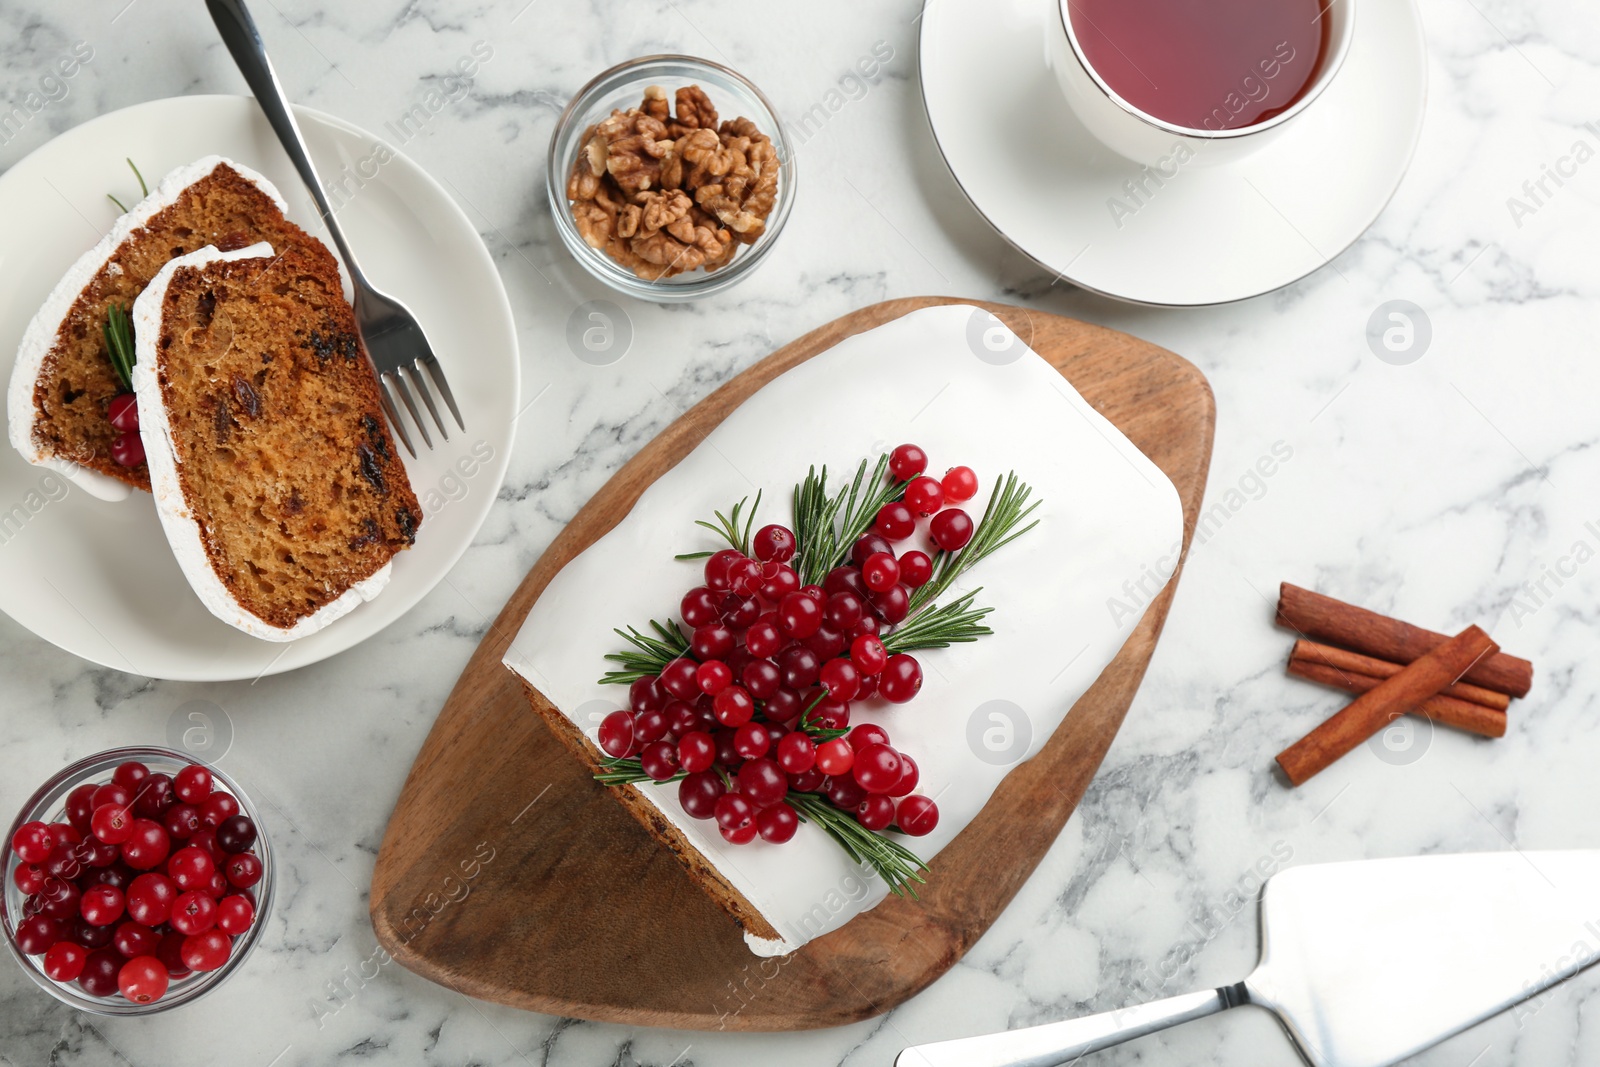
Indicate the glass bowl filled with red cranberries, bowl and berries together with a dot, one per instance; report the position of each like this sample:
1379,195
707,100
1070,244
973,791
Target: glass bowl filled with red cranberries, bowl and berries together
135,881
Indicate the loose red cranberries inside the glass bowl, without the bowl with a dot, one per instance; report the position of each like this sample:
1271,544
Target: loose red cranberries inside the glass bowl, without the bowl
113,906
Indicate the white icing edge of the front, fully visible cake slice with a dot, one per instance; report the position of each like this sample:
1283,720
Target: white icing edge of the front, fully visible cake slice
161,452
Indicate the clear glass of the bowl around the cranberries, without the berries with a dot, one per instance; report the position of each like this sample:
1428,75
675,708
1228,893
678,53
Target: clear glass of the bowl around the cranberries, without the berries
49,805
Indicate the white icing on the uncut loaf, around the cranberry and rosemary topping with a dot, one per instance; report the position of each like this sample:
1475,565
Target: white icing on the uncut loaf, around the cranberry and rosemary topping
1108,518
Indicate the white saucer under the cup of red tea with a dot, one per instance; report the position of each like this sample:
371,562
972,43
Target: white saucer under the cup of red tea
1206,236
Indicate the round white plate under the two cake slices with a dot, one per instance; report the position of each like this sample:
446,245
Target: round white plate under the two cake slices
98,578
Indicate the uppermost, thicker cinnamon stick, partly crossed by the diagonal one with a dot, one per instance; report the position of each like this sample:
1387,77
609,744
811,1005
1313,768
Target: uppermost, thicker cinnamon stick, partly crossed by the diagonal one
1337,623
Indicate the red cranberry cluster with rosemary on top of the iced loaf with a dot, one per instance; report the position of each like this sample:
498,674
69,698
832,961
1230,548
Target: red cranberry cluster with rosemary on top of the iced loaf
761,706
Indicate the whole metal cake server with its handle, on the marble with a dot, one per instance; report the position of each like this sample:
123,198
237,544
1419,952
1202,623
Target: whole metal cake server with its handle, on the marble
1366,964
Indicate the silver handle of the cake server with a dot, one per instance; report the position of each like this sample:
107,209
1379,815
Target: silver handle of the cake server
1058,1044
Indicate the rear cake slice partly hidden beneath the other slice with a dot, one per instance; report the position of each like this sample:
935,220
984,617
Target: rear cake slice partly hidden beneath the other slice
65,382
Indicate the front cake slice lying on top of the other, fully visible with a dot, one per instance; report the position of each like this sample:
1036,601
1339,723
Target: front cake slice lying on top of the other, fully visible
273,470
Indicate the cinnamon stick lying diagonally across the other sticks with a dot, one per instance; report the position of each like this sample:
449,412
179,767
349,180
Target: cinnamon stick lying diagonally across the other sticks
1378,706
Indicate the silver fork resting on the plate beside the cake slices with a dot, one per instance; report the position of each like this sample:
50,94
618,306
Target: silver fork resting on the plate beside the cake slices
394,342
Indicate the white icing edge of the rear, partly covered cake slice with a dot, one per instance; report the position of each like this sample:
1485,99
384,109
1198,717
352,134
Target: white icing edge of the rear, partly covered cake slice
41,335
